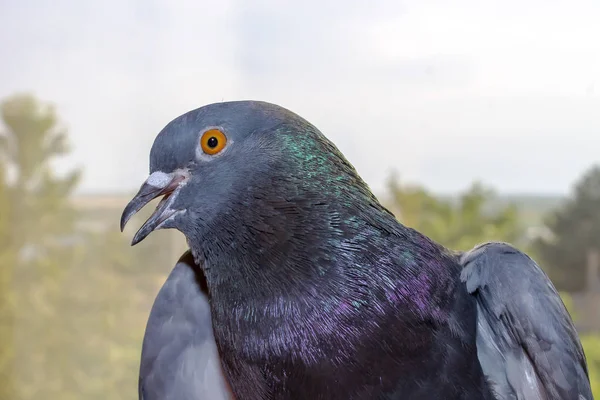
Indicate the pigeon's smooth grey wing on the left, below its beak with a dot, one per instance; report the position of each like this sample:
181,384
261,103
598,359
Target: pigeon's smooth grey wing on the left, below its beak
179,354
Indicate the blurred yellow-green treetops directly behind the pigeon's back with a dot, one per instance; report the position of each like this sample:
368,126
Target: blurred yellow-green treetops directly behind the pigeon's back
458,224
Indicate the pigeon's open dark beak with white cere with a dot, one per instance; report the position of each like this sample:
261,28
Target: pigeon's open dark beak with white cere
157,184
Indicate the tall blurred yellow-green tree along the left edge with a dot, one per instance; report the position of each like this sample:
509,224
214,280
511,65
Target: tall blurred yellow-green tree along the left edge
36,219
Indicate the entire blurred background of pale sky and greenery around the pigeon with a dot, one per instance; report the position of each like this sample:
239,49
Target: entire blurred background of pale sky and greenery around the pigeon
472,120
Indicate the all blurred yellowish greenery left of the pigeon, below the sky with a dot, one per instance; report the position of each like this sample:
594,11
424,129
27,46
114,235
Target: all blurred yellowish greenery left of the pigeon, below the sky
74,298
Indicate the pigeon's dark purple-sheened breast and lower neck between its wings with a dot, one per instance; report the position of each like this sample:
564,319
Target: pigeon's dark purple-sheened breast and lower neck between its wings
370,315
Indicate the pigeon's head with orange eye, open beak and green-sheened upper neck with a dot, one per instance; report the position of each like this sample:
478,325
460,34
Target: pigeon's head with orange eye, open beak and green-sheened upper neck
238,172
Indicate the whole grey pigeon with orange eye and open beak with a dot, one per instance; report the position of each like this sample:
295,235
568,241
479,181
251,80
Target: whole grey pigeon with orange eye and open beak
299,284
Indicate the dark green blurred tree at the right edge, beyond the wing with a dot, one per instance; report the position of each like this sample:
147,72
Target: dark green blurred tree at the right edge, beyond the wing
571,251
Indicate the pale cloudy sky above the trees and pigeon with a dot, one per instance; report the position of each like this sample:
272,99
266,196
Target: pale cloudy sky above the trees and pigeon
444,93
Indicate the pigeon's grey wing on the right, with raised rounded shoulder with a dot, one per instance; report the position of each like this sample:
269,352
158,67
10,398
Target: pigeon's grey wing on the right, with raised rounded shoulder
526,342
